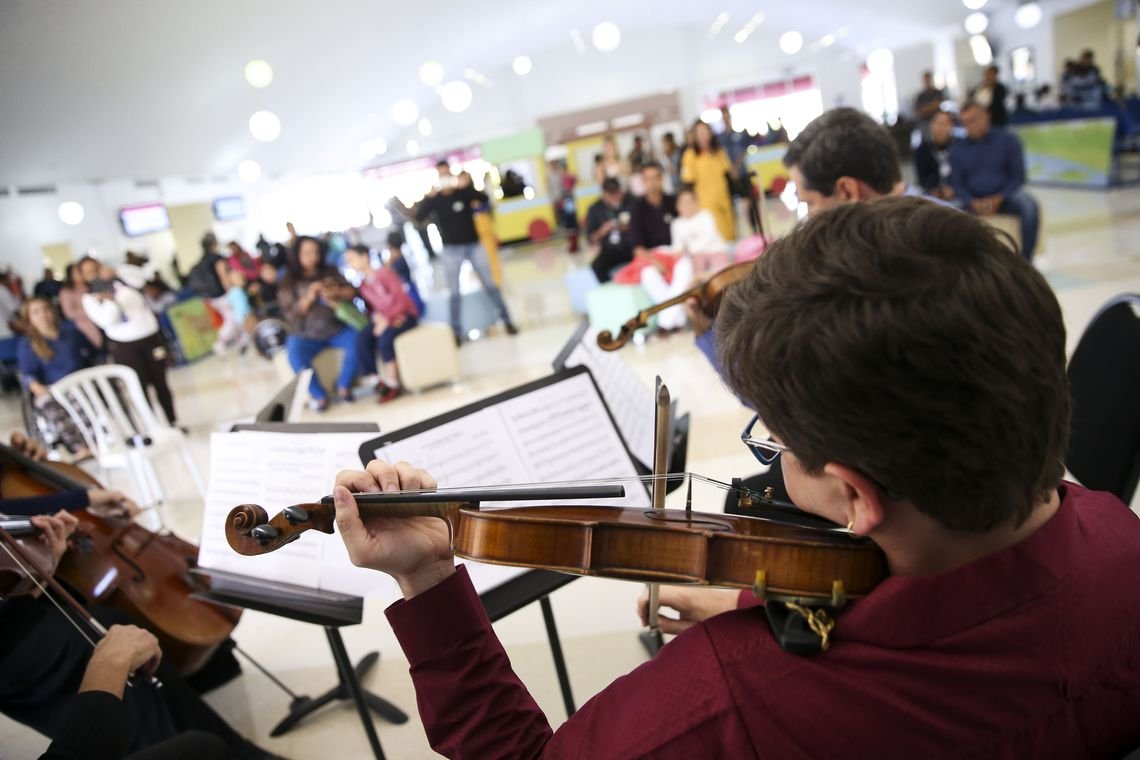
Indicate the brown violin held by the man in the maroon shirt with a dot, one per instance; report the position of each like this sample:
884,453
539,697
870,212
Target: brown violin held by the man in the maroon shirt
775,555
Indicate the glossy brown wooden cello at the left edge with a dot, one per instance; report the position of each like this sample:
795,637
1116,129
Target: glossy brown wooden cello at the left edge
117,562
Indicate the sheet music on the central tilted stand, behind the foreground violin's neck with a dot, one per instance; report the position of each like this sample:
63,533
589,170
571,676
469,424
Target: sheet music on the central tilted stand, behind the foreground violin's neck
557,434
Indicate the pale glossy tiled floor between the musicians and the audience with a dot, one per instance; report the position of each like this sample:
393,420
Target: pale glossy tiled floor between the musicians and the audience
1093,252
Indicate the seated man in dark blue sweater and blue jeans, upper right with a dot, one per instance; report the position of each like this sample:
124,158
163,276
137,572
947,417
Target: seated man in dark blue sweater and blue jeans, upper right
989,175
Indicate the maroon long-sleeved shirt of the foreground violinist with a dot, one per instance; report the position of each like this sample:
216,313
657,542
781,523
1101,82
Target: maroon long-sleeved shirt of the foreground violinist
1033,652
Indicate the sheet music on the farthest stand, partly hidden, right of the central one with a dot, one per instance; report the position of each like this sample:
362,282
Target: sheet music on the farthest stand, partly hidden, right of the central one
629,398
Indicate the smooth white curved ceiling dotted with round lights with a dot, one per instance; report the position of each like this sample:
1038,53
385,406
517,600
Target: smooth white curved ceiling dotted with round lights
95,89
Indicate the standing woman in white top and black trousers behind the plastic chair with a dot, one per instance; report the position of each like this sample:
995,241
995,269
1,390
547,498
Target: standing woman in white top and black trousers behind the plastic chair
134,338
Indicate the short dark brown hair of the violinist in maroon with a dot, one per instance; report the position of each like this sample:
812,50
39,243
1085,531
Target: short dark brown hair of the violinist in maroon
903,340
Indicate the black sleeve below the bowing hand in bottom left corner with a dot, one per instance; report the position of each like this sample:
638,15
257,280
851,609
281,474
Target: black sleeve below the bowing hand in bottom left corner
97,728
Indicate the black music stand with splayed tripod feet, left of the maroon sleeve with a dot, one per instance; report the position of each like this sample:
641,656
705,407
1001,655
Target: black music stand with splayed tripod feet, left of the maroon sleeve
328,610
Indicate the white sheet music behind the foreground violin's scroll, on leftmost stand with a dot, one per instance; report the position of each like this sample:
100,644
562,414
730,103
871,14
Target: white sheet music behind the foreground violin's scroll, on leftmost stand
275,471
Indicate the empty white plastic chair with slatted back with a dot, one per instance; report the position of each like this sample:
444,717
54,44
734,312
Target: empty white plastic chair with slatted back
111,423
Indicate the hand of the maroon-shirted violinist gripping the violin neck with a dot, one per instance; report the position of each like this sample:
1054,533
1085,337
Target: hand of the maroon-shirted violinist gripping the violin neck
414,551
